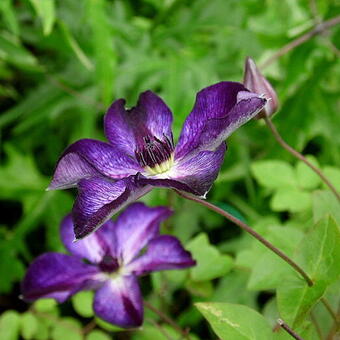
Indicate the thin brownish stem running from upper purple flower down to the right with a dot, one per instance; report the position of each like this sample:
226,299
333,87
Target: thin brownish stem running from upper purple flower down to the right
250,231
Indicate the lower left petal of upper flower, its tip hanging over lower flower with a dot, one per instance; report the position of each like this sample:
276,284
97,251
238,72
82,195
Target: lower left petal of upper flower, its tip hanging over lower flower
99,199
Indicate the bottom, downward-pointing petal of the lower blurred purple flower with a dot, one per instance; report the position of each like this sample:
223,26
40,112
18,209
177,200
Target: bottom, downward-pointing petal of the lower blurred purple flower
119,302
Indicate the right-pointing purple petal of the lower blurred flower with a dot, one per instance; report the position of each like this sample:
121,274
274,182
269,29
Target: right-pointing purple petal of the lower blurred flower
164,252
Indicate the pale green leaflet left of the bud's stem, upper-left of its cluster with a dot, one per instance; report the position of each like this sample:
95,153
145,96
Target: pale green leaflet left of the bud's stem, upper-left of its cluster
274,174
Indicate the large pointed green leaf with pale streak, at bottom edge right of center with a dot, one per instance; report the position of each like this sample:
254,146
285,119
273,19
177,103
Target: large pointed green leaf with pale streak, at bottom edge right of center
235,322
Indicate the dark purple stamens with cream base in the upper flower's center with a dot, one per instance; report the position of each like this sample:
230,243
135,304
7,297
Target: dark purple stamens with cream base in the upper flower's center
156,155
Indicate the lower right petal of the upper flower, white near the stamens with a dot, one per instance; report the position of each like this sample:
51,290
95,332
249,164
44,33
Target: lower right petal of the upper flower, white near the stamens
194,175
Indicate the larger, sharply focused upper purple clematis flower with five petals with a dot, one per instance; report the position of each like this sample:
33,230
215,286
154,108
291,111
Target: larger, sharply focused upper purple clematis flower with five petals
141,153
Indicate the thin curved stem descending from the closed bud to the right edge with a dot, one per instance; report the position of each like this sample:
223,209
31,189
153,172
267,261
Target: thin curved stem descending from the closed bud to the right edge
300,156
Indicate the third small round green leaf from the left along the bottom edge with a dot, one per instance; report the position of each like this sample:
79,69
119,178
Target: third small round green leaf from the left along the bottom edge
67,329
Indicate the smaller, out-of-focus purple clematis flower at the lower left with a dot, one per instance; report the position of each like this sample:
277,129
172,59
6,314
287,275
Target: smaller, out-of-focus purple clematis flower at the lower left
114,263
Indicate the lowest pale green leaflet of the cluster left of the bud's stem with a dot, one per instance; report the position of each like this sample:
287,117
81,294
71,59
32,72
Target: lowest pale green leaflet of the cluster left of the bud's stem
290,199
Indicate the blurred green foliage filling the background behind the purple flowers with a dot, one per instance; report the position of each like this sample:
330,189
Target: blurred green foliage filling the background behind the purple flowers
63,62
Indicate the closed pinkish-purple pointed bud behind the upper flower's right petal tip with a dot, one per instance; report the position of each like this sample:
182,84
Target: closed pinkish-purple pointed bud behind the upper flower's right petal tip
254,81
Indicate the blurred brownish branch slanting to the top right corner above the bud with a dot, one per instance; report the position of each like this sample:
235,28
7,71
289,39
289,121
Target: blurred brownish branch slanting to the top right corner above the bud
319,28
